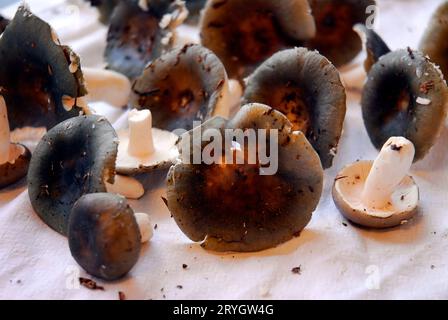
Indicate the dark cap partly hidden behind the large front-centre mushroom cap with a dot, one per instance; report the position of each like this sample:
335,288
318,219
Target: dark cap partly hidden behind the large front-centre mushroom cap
306,87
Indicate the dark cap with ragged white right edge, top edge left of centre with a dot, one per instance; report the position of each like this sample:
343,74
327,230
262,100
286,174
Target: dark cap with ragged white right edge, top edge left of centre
139,32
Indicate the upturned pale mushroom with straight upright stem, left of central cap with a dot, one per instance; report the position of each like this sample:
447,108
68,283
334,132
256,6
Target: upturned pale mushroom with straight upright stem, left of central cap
143,148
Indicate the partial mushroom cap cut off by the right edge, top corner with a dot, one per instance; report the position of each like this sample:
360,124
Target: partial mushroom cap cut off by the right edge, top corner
434,42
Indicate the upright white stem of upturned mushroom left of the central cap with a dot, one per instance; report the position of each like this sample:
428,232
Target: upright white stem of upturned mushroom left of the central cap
141,142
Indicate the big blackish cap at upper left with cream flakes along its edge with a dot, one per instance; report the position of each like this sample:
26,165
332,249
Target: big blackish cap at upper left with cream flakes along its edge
40,79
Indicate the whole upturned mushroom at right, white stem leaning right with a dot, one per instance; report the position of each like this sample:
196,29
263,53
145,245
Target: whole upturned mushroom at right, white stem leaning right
379,194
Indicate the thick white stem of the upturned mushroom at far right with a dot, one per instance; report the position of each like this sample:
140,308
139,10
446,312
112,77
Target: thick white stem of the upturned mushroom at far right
388,171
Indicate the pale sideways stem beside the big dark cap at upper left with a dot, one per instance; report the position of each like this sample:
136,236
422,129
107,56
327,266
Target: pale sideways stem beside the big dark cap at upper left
107,86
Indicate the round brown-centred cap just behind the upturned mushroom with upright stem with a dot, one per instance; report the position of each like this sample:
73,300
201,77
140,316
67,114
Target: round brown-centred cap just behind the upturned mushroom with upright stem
182,86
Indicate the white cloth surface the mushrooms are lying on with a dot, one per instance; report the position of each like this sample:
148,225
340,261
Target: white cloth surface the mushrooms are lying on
337,261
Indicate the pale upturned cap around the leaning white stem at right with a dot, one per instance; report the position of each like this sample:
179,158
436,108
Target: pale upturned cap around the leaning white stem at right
347,194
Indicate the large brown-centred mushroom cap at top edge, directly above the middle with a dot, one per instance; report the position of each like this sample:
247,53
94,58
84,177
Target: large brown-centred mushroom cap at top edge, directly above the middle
245,33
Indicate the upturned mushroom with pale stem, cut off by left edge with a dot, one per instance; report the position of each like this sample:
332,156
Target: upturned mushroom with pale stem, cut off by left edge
14,158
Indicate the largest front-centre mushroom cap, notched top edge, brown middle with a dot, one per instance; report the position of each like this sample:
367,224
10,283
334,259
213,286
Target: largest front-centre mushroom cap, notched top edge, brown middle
234,207
